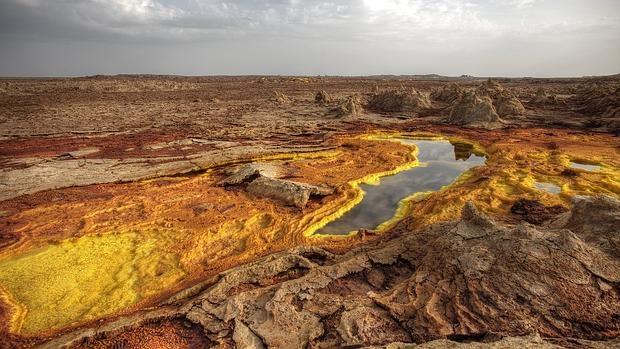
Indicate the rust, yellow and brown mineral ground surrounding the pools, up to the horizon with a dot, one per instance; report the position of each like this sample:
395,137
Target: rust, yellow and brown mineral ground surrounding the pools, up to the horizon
168,212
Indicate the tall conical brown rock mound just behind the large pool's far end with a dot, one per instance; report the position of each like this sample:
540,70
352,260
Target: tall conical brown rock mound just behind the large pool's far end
474,110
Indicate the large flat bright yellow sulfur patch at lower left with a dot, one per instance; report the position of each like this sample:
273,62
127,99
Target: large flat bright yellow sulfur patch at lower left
85,278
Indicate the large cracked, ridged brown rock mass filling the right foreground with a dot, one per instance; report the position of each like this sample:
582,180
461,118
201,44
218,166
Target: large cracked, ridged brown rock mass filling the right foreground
465,279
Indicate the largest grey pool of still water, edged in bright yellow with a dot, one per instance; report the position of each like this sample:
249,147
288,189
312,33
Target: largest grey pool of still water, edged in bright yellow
441,163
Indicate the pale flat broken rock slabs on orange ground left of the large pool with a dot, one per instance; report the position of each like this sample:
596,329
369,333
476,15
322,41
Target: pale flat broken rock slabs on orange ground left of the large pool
261,180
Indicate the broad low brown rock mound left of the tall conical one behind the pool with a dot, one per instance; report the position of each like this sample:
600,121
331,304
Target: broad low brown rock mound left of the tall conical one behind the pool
399,100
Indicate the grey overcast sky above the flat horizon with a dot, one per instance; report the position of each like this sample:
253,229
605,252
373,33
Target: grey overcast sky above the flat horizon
541,38
